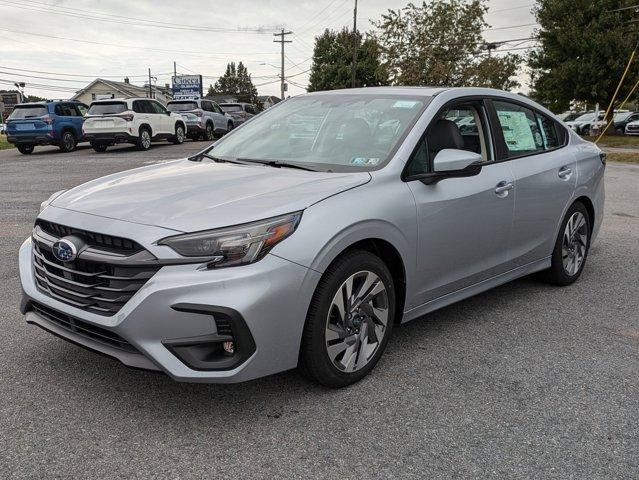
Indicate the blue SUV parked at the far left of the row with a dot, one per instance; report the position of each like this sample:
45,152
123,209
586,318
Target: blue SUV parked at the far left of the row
54,122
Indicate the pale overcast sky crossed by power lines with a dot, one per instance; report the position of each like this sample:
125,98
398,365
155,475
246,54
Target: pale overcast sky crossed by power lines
58,46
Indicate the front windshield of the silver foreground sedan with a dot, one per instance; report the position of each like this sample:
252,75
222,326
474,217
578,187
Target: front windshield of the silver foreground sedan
328,132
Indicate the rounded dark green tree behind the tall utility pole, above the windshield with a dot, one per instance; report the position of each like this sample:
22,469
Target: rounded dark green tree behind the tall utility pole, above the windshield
332,61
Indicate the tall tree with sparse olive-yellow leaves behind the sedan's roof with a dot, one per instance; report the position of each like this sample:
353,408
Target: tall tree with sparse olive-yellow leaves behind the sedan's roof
440,43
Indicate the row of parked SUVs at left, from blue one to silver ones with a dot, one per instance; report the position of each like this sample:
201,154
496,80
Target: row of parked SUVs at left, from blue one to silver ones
139,121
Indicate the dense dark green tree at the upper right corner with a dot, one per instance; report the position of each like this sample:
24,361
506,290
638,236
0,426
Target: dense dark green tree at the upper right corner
583,51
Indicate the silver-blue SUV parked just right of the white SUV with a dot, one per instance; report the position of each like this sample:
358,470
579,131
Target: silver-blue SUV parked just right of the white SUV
204,118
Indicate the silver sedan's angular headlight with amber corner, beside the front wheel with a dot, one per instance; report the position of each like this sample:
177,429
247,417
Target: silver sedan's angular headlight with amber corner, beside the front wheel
237,245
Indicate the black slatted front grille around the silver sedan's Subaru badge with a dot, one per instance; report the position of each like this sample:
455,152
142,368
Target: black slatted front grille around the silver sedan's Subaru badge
98,280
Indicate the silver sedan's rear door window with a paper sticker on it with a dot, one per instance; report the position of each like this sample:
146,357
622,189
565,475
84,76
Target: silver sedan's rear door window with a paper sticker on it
522,133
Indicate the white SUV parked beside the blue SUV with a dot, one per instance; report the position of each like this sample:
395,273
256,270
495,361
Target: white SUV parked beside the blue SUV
131,120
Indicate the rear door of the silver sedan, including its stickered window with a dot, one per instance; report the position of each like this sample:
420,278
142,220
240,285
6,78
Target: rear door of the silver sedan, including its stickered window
545,174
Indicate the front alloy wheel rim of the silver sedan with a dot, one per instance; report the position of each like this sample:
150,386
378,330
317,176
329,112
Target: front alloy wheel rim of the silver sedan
356,322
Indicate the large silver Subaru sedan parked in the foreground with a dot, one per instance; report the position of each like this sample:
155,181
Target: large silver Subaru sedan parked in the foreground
304,237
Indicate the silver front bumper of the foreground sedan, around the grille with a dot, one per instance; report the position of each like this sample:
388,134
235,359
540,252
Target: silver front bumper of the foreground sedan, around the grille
183,302
